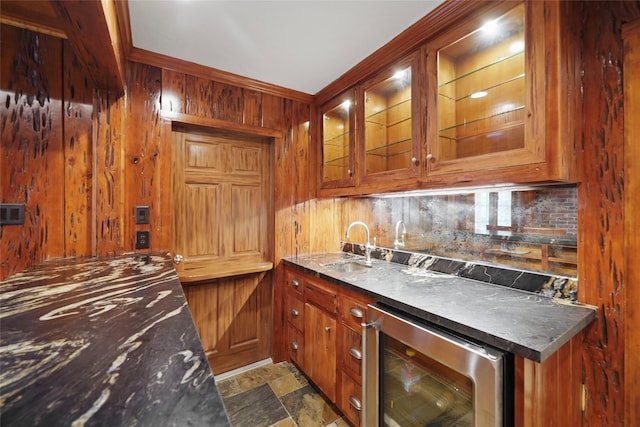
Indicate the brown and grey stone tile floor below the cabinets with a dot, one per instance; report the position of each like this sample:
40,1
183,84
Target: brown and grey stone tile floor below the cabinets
276,395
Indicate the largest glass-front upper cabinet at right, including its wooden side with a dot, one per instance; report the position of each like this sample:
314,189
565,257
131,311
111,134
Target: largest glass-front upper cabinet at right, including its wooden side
502,91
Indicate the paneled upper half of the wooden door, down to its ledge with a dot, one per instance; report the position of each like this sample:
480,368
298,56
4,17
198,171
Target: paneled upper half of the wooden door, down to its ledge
221,193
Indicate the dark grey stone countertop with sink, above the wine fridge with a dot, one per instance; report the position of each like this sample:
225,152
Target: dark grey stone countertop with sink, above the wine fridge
524,323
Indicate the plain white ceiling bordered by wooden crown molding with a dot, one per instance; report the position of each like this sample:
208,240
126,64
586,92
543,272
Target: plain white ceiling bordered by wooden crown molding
299,44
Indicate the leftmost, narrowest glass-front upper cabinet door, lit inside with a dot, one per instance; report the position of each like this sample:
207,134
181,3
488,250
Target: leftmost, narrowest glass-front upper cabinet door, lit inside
337,135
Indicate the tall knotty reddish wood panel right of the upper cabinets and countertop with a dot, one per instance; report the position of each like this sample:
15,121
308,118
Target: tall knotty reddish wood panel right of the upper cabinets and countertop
601,211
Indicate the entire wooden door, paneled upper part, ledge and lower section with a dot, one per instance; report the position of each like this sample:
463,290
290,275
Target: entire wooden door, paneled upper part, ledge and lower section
221,228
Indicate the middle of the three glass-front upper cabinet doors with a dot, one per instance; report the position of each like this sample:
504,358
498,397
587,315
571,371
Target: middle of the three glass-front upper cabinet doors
389,143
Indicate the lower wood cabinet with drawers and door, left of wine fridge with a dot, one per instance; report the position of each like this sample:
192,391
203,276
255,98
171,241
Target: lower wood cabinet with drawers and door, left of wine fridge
323,329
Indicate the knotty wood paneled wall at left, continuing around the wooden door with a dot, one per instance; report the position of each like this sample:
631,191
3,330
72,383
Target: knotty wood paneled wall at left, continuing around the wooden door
81,158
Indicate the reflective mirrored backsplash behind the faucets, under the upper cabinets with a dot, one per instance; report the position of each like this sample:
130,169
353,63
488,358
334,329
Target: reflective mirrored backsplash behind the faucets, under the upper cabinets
534,229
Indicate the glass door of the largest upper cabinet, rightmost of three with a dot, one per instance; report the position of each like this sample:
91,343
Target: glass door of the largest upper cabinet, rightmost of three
481,85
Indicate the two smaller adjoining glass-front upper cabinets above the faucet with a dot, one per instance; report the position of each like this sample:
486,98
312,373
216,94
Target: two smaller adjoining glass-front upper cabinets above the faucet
370,135
